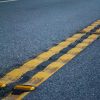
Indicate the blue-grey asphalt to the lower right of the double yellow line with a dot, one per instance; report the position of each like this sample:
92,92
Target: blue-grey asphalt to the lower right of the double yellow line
78,80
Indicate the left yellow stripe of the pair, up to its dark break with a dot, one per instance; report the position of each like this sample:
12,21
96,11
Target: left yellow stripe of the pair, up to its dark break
15,74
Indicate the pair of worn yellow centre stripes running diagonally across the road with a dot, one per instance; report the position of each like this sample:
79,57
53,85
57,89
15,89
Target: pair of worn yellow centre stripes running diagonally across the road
43,75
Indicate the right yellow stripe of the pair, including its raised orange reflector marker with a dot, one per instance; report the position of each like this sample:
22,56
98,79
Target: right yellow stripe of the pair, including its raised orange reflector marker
43,75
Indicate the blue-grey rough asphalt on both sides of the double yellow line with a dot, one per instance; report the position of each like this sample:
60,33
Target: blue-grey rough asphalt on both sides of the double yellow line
28,27
